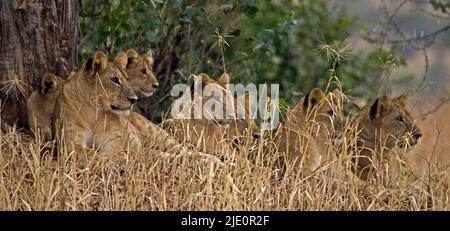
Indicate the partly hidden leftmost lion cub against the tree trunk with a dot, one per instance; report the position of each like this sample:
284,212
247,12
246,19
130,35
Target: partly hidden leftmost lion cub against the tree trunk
41,102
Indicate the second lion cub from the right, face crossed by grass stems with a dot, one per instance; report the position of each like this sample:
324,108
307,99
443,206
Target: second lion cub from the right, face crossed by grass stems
303,137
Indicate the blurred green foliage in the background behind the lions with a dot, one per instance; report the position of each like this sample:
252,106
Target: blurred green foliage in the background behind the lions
285,42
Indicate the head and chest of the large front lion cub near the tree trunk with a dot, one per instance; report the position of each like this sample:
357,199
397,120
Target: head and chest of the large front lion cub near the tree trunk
92,107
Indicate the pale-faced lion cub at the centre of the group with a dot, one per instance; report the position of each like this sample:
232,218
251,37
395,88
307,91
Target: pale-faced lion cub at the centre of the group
219,126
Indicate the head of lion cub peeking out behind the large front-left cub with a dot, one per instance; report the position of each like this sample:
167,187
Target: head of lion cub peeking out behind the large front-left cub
139,70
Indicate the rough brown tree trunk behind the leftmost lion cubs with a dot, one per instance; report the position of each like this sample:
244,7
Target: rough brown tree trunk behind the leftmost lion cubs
35,36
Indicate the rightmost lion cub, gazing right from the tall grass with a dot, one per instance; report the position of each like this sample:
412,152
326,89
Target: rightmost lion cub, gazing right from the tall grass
384,125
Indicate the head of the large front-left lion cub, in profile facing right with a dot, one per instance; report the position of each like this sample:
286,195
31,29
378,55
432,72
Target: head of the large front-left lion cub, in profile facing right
107,85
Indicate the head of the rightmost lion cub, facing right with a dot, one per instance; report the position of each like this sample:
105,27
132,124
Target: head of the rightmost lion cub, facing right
389,121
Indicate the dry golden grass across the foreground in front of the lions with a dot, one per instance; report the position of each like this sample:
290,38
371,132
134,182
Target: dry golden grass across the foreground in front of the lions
248,179
